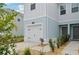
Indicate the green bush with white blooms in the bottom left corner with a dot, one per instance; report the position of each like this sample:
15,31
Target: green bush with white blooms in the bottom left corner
7,46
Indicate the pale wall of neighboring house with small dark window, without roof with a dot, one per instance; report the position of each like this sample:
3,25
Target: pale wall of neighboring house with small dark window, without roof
19,25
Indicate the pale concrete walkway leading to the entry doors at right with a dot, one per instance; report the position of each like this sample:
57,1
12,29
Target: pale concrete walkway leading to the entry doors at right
72,48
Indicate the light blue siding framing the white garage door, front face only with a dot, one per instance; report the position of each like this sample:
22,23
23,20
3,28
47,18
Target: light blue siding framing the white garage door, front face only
37,20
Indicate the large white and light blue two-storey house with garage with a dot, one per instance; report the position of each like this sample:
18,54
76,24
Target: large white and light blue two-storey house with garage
50,20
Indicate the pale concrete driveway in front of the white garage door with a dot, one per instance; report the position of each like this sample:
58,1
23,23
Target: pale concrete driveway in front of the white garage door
33,45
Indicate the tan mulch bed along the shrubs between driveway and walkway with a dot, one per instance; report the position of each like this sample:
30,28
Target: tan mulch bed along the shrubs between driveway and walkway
57,51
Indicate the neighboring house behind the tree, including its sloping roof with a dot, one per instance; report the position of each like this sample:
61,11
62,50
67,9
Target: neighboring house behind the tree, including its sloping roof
18,22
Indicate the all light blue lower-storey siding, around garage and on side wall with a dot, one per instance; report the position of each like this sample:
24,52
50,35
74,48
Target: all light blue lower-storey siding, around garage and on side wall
50,27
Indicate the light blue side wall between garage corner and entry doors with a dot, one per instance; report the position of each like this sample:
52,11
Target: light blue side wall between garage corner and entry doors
53,29
